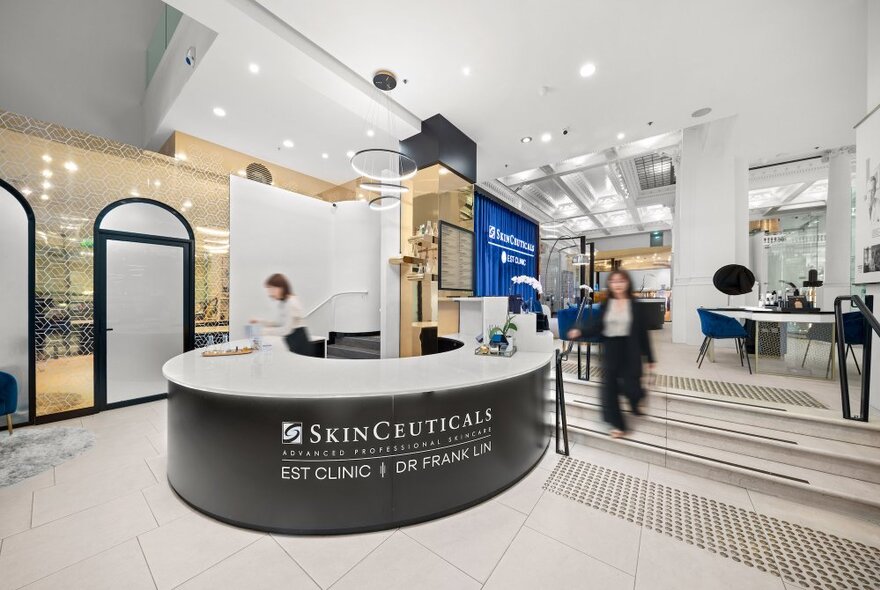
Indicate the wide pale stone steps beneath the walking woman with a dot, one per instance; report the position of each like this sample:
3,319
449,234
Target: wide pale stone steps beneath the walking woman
778,449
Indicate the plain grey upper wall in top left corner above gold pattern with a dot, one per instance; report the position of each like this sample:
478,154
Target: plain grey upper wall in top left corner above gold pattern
79,64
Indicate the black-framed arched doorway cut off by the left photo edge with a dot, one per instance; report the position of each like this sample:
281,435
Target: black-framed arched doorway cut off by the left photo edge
17,297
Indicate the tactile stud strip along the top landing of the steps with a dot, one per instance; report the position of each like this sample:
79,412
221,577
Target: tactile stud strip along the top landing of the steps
776,395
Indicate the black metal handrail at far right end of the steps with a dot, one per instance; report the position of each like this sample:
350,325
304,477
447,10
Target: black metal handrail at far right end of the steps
866,309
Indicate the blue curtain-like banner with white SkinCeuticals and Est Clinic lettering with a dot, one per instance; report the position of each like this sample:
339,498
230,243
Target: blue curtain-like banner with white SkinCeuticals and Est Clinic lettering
506,246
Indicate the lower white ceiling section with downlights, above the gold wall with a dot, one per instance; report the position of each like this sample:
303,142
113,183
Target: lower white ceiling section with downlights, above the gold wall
298,94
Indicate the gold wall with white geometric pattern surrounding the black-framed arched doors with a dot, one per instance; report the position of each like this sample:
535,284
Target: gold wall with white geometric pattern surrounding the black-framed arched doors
69,177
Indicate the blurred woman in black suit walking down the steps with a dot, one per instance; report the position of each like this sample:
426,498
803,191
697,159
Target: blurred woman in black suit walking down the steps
622,324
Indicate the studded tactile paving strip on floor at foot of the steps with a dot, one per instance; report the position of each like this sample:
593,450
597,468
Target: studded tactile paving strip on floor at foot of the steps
797,554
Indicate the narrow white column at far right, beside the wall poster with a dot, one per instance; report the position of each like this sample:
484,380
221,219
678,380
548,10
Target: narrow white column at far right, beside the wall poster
838,228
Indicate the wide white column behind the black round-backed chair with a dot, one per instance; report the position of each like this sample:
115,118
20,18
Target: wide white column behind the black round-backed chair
711,221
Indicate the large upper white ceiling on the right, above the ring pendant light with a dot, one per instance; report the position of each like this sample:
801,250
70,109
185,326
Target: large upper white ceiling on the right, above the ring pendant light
794,70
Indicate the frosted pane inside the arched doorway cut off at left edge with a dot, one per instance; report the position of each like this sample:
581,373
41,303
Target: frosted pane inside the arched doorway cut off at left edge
14,296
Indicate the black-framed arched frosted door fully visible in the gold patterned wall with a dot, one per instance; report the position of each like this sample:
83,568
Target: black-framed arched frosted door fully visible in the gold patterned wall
144,298
